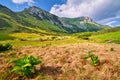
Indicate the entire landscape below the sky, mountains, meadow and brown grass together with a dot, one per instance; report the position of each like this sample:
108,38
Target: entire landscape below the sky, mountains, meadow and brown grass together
61,48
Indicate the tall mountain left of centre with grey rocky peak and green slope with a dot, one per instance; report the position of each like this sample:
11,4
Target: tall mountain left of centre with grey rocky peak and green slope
30,17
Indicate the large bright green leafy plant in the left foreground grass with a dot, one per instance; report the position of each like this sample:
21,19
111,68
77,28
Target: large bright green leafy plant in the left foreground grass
25,65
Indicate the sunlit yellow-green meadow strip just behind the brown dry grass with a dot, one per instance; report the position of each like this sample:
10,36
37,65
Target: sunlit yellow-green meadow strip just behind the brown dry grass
41,43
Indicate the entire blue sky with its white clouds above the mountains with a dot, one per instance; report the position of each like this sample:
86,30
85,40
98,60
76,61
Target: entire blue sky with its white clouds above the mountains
106,12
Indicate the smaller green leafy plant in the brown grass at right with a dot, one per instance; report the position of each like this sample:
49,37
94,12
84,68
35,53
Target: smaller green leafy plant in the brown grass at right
94,59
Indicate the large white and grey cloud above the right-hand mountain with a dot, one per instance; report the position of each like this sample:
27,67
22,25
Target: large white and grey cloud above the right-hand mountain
96,9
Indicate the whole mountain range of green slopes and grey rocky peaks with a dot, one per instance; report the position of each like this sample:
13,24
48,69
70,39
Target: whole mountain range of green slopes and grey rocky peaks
34,19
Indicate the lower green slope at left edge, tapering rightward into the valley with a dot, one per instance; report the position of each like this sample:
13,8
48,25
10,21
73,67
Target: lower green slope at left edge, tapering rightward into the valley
9,24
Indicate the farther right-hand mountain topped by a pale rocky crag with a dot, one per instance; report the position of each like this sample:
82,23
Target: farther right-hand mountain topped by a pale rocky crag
81,24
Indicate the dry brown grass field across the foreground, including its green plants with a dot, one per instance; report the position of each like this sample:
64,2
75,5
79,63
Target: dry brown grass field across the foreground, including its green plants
61,62
